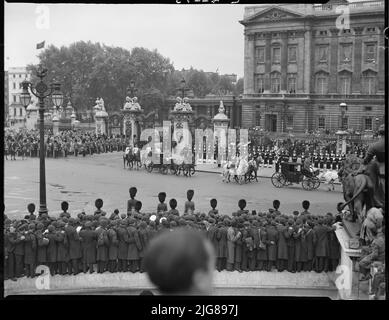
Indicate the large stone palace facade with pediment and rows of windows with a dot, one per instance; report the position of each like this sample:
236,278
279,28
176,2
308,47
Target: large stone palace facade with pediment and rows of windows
300,64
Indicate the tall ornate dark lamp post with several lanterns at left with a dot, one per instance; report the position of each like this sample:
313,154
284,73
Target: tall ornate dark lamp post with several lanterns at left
41,91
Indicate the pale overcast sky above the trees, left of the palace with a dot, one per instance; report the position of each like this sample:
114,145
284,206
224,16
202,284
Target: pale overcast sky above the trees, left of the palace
206,37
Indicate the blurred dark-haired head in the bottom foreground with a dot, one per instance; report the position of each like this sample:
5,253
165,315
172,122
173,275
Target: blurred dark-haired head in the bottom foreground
181,262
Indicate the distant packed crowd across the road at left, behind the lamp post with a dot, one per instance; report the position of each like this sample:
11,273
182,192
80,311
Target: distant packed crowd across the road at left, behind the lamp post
26,144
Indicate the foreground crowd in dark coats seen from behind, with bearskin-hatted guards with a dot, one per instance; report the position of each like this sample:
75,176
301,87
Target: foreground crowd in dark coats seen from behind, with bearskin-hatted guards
243,242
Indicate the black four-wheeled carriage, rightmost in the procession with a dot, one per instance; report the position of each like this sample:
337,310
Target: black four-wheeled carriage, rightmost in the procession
291,172
